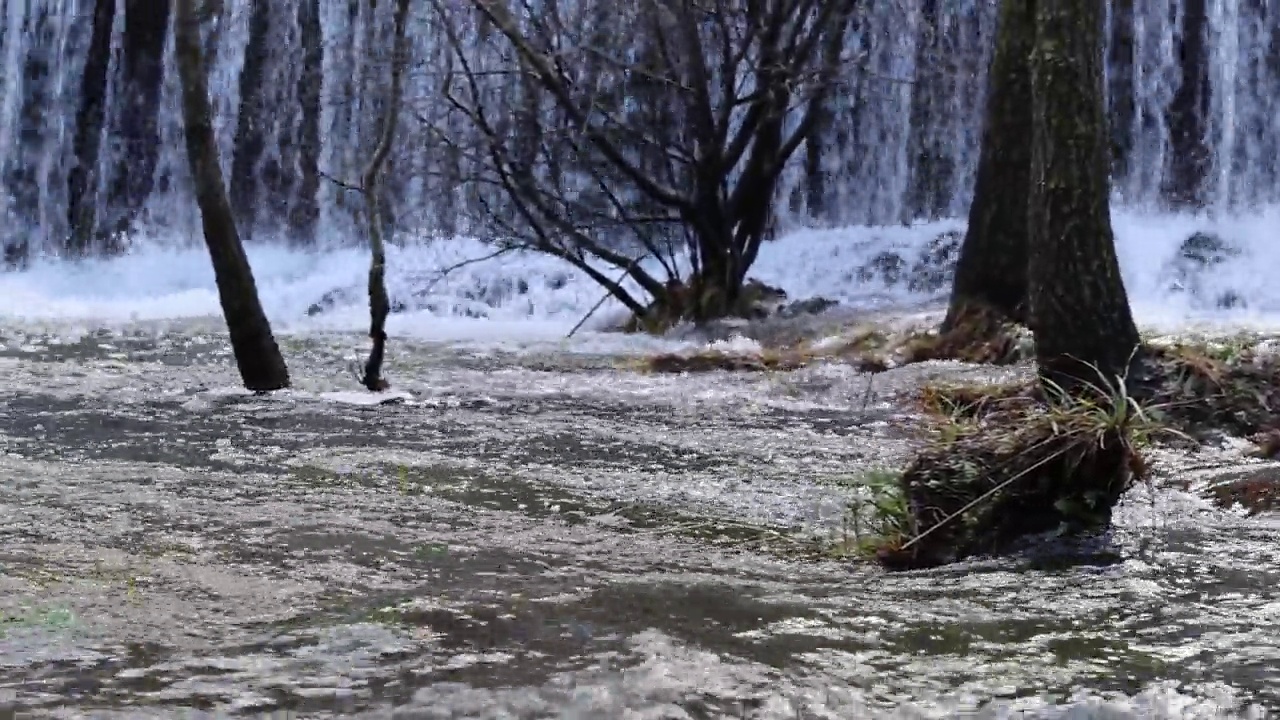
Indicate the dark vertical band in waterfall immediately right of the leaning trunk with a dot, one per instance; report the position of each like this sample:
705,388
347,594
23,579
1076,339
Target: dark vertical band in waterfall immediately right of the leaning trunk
252,120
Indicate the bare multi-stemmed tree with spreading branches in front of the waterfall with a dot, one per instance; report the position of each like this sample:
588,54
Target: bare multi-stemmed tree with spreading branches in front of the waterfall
641,131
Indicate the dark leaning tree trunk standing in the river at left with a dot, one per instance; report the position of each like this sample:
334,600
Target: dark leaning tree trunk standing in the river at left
257,354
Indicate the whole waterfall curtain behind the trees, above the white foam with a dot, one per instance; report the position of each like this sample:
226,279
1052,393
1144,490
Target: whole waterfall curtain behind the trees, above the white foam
899,144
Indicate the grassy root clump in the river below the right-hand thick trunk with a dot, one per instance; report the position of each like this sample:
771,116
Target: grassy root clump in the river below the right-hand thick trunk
1020,468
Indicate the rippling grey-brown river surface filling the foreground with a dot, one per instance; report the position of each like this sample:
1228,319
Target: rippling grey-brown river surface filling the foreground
554,535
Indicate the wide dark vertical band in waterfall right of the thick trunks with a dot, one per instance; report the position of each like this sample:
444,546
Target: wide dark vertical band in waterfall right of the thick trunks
1188,115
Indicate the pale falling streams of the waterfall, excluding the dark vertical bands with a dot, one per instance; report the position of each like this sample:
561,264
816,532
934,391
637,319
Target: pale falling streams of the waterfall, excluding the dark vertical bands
871,152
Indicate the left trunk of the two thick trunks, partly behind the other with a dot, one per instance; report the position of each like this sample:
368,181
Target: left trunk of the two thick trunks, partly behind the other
991,272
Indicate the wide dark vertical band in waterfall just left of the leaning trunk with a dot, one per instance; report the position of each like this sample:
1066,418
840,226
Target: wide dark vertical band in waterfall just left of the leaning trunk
147,24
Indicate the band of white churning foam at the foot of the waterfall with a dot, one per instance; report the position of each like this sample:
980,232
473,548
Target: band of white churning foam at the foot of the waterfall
524,298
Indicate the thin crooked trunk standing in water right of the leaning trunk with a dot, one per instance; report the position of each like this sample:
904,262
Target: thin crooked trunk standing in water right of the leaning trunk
380,306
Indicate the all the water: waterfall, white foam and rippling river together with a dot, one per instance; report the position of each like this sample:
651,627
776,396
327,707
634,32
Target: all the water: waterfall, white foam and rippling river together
536,528
